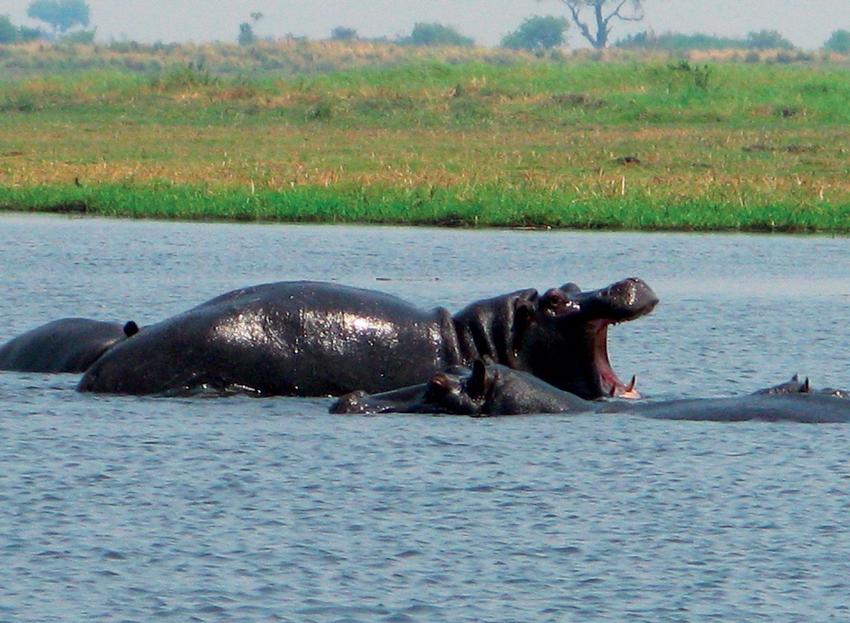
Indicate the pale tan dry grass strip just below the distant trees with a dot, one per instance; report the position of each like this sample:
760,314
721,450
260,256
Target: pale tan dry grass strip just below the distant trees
294,57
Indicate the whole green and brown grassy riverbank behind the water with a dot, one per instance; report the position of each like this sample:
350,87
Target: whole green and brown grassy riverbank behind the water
504,140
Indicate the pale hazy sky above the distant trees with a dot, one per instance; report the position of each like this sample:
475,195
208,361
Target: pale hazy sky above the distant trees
807,23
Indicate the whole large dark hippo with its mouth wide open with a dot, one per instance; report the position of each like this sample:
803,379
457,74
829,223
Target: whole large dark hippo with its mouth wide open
313,339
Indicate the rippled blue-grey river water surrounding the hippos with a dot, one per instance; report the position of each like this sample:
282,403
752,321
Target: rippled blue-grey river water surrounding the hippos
242,509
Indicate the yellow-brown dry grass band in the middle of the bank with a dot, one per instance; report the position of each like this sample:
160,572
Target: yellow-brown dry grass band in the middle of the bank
675,163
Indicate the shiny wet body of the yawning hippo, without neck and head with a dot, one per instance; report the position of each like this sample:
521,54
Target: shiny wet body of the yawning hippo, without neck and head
302,338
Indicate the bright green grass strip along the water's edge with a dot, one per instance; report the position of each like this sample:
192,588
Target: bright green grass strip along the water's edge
447,208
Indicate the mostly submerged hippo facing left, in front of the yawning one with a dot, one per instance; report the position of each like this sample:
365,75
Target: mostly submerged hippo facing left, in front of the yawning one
492,389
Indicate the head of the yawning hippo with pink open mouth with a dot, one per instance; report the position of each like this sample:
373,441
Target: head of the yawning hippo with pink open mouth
562,336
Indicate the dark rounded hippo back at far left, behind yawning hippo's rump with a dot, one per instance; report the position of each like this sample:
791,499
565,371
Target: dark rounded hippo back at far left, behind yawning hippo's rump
66,345
